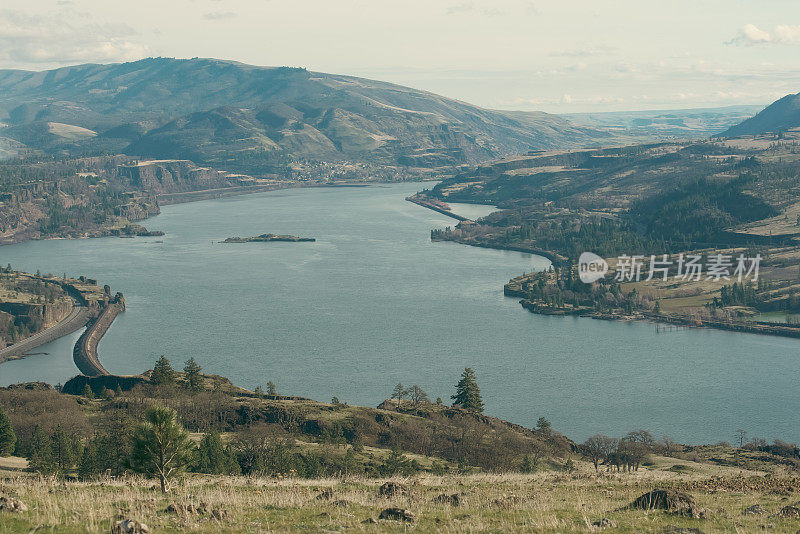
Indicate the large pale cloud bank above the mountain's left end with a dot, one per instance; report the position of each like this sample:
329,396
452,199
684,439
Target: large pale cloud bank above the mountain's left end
62,38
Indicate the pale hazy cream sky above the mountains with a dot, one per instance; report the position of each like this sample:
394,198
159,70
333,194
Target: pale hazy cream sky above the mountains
559,56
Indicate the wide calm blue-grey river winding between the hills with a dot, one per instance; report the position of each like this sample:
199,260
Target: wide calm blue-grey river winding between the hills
373,302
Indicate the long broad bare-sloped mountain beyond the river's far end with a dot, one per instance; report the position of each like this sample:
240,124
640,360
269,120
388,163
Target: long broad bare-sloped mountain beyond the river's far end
215,111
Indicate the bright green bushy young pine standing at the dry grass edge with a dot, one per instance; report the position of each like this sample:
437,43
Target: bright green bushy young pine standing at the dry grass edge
161,447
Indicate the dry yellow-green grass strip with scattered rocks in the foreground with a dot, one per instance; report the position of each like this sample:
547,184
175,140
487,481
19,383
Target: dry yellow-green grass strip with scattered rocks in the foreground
542,502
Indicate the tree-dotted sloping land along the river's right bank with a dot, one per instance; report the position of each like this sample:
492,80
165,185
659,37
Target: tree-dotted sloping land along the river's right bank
720,198
